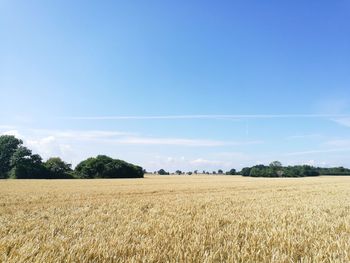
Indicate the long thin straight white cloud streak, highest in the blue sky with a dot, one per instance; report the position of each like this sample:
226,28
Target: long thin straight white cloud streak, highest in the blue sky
209,116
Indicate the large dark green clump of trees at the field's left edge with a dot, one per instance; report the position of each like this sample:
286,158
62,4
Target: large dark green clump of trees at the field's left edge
18,162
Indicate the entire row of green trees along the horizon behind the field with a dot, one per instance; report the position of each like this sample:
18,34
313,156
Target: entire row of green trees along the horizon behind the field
17,161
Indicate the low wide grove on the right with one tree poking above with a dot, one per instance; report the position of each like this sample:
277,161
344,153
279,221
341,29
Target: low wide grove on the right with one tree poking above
275,169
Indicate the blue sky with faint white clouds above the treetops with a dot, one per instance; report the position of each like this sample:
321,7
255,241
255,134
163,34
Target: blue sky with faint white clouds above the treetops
189,85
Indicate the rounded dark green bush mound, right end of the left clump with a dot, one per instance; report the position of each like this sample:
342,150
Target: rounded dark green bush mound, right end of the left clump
105,167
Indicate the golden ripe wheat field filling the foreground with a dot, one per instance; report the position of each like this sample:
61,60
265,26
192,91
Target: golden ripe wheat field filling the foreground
176,219
